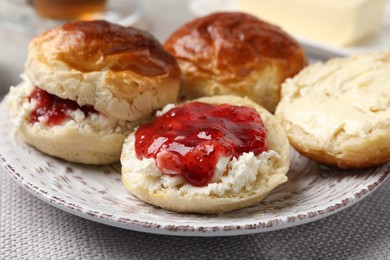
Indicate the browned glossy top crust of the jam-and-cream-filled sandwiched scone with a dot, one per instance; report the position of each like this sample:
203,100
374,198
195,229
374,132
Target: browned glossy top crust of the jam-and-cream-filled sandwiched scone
95,45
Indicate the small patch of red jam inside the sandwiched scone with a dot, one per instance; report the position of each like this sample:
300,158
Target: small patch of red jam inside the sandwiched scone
54,108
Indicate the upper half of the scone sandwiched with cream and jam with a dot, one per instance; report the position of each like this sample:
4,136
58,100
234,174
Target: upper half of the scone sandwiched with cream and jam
123,72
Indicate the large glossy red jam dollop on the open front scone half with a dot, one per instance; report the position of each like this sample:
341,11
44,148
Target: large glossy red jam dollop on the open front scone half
189,139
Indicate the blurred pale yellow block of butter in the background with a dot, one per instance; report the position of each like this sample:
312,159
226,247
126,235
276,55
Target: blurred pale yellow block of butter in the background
336,22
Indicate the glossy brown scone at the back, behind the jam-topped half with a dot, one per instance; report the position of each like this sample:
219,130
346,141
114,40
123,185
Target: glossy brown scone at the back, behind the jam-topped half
234,54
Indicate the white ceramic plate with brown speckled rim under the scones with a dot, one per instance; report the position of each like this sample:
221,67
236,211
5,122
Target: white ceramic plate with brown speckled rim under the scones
96,193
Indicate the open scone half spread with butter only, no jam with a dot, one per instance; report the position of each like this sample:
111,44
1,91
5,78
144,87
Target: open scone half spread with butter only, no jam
338,112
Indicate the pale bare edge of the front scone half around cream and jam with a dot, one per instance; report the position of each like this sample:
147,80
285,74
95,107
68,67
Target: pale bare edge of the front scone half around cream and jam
176,200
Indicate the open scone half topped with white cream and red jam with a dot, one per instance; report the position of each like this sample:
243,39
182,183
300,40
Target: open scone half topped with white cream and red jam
209,155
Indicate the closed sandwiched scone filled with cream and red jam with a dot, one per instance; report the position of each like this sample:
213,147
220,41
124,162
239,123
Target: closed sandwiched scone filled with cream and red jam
85,86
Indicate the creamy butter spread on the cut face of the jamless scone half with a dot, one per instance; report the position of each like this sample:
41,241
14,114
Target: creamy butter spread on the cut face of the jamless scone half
350,95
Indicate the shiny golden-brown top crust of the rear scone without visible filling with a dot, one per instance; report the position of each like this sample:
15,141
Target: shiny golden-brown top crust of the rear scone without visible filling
237,43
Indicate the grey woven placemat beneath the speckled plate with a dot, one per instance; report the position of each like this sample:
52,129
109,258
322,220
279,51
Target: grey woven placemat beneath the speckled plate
31,229
